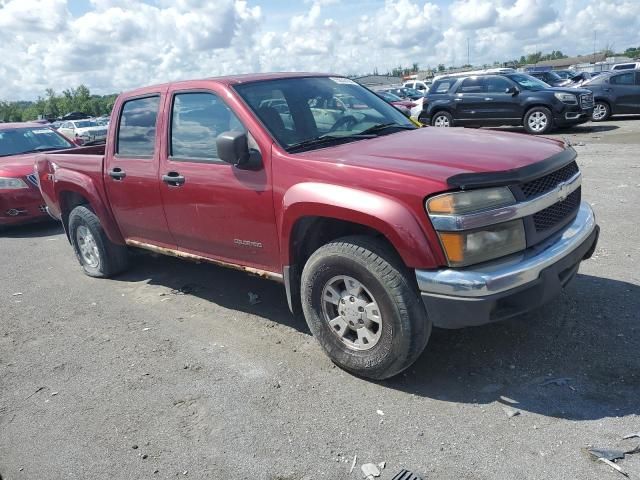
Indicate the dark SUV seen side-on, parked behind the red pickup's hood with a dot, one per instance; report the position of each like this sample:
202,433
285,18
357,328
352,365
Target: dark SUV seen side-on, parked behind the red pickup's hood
505,99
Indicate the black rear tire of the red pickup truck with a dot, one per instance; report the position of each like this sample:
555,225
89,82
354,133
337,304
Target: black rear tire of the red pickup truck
111,258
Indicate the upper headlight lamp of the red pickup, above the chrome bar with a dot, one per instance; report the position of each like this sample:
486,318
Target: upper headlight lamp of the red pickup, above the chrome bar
459,203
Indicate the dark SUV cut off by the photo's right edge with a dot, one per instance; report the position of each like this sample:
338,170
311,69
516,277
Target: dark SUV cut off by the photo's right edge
615,92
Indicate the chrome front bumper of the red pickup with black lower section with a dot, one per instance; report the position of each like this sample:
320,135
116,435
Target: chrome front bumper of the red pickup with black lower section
547,267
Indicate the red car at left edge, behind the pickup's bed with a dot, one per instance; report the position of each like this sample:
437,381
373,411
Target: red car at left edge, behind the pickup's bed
20,198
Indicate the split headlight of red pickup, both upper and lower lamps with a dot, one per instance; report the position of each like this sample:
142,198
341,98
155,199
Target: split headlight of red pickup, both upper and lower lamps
474,246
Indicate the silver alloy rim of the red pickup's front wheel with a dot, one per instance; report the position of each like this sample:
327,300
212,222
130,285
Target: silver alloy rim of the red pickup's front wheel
351,312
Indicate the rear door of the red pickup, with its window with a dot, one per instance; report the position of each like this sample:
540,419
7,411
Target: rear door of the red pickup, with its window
131,176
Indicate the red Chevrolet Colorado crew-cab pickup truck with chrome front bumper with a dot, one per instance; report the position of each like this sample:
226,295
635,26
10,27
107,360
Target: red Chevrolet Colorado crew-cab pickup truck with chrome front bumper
378,230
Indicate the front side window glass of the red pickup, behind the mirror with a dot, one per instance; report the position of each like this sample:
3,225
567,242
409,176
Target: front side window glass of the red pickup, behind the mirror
197,119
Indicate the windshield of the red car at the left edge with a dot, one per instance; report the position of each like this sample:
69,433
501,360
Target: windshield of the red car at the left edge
17,141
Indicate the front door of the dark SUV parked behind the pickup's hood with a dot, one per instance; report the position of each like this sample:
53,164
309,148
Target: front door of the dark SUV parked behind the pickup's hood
499,106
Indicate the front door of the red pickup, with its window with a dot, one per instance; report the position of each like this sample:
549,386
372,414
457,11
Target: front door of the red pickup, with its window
215,209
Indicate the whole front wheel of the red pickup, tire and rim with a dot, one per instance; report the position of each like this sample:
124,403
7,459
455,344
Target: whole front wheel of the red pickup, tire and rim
362,307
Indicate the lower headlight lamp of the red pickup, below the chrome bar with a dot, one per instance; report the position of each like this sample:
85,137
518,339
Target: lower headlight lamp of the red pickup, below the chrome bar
466,248
